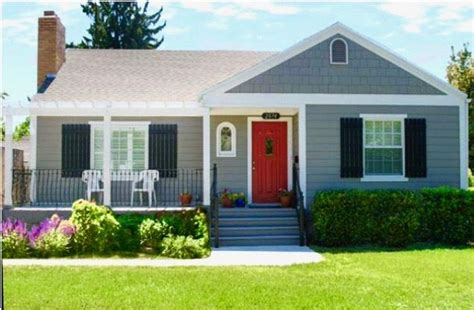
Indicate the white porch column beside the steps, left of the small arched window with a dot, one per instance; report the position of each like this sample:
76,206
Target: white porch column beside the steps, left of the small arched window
206,157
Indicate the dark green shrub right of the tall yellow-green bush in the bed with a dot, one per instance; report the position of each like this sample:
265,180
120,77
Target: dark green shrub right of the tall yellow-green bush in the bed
128,238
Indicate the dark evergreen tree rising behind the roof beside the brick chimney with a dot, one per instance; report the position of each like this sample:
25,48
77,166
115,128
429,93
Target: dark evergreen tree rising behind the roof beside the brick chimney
121,25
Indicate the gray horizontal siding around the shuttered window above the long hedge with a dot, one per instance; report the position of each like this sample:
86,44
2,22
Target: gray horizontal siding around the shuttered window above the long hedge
323,146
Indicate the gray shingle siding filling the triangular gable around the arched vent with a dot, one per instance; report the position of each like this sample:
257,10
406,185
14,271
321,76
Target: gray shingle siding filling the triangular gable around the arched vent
311,72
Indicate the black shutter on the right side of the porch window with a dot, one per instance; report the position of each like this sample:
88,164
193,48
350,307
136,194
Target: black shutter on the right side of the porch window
163,149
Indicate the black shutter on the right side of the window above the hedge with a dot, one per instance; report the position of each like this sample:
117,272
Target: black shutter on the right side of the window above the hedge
415,148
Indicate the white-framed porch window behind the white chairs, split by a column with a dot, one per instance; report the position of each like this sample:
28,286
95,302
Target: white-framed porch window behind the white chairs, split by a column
129,146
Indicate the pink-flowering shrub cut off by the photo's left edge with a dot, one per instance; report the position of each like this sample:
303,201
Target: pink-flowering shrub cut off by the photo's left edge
14,239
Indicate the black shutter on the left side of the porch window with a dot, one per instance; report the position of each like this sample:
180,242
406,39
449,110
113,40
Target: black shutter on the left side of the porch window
76,145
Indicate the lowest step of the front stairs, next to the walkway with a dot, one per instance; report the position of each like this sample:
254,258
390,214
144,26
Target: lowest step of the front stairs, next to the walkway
259,240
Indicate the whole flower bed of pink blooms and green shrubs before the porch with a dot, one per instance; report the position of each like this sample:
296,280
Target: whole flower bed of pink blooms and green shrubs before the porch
94,229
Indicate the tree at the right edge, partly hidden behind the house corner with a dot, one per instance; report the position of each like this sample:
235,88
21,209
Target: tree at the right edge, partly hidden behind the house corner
460,73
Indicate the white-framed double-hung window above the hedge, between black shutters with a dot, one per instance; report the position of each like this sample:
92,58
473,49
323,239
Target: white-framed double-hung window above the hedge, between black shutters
383,147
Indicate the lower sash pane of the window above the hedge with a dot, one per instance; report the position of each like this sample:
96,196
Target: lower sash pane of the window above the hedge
383,161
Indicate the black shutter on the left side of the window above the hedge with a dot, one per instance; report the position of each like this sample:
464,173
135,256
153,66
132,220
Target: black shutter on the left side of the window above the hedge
351,148
